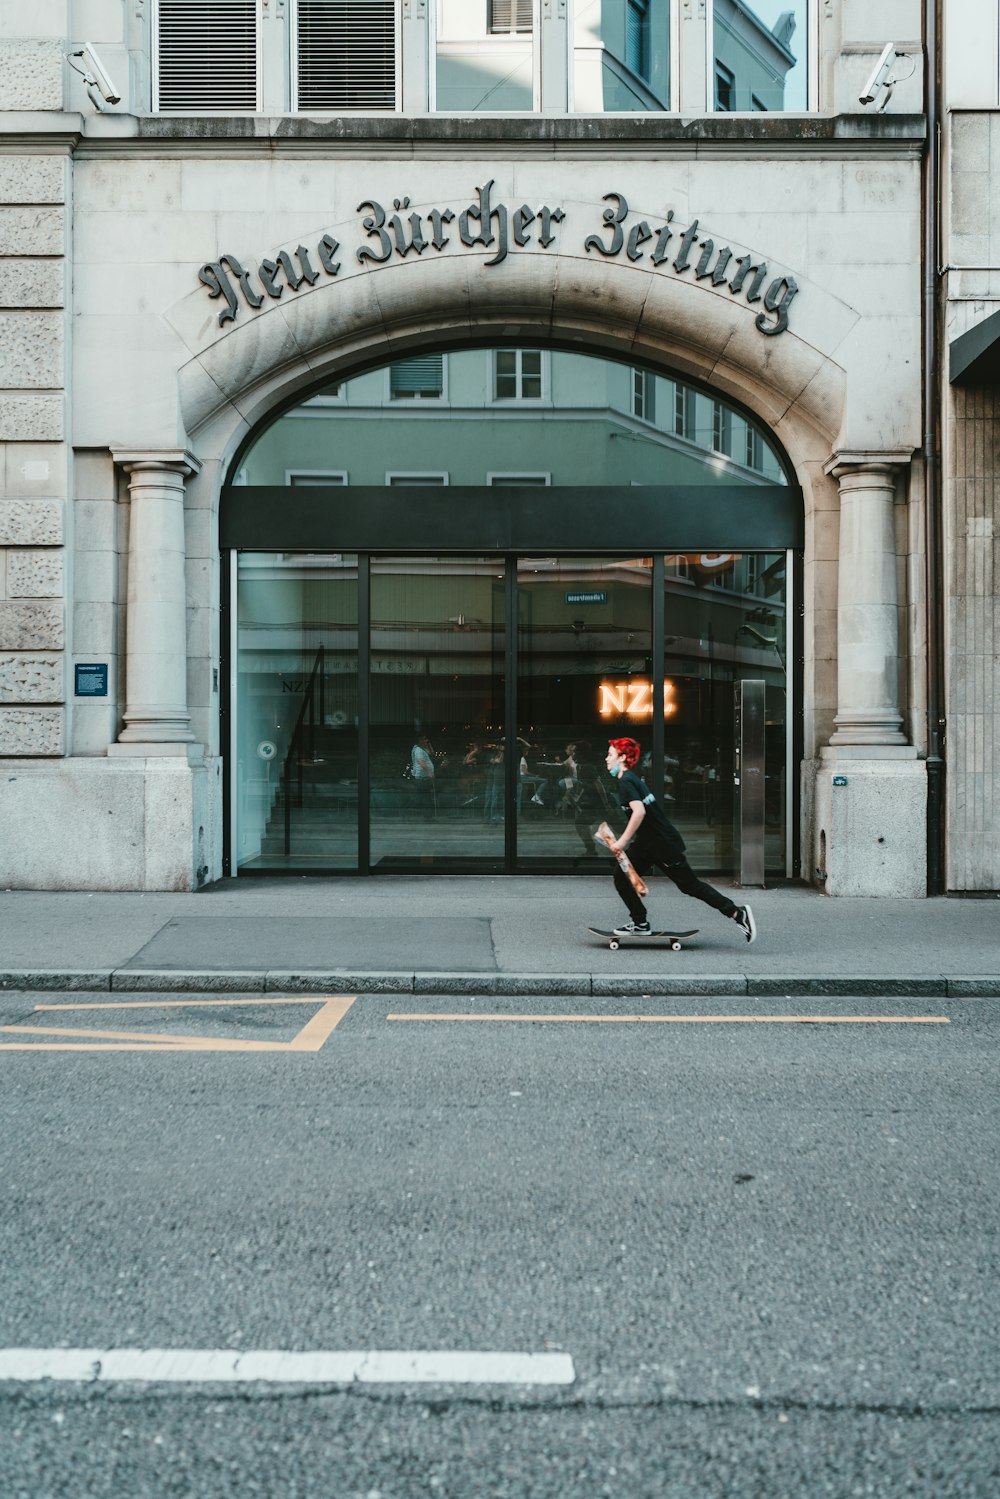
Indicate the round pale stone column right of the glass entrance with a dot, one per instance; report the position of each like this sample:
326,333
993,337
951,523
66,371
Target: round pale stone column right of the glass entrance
867,605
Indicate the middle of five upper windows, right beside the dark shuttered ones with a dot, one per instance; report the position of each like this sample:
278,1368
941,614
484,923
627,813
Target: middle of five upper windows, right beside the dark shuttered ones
485,56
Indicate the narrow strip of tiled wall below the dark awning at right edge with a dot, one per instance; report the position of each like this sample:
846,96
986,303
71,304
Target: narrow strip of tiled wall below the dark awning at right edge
974,642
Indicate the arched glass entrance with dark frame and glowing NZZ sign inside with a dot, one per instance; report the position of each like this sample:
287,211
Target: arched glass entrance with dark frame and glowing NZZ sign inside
455,576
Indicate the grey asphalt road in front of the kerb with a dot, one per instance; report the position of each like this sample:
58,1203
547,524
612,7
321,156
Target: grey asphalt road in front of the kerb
768,1248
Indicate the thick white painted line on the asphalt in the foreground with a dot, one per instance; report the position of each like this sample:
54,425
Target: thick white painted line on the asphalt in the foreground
284,1368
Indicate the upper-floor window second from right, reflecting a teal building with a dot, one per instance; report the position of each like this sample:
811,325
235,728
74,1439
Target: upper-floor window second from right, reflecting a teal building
621,56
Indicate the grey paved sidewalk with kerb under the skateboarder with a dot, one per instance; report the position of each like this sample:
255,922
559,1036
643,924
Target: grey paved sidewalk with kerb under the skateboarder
524,935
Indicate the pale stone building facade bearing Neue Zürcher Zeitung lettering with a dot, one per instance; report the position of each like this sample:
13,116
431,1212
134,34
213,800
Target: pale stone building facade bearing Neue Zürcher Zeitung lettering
175,278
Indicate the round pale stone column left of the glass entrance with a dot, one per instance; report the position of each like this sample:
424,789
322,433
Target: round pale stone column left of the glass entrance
157,719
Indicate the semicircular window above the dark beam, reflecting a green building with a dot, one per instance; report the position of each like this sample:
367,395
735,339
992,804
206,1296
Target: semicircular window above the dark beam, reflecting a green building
573,417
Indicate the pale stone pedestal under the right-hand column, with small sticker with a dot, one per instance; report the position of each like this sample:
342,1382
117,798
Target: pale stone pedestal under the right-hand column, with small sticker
870,822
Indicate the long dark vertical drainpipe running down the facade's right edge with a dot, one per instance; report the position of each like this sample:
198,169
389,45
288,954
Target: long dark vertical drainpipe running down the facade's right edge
932,461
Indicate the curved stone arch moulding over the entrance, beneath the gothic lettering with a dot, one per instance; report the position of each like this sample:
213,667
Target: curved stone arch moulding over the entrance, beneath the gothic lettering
242,374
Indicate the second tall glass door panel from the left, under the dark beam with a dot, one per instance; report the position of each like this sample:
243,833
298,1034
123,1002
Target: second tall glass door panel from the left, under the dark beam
437,711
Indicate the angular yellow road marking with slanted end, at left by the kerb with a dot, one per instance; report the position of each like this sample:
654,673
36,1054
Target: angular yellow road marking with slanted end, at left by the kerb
310,1040
